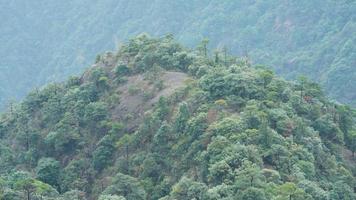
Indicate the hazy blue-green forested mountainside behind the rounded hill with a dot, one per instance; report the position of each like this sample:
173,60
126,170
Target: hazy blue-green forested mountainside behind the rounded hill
47,40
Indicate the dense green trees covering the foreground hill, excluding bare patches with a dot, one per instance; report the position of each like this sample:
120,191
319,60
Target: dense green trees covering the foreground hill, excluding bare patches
232,131
